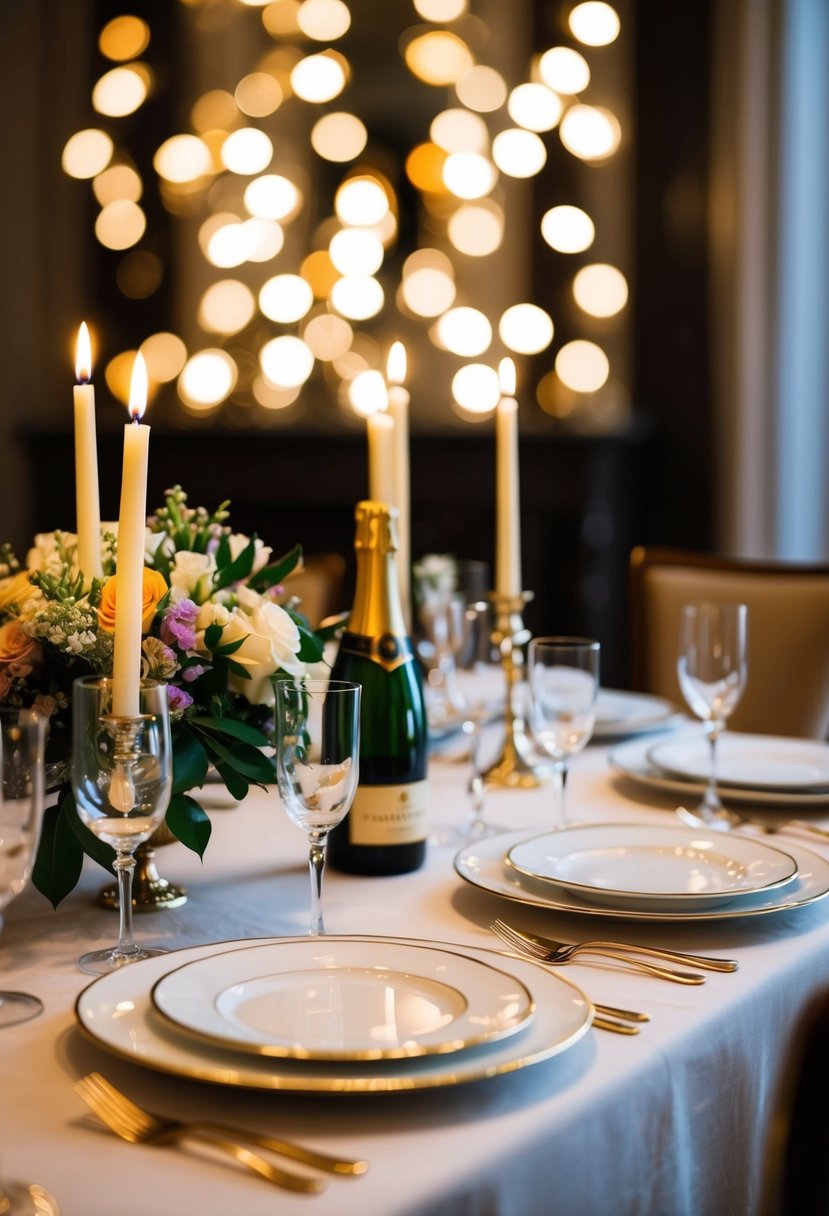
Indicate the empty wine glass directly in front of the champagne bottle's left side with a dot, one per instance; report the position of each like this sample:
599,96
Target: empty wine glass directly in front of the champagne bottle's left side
318,764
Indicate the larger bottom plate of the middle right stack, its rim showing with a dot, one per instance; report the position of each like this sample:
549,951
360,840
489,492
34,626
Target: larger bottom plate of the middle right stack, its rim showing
483,865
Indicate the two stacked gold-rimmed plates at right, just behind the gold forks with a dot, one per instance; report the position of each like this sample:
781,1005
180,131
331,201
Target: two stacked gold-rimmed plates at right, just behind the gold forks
646,872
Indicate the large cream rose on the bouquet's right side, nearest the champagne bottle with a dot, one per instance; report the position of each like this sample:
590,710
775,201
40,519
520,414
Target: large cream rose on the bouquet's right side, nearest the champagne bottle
270,643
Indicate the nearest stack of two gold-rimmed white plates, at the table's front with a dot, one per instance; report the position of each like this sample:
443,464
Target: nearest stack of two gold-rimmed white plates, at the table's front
335,1015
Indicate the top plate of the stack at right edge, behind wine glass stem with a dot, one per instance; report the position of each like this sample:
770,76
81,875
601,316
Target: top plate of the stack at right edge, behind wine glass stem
754,762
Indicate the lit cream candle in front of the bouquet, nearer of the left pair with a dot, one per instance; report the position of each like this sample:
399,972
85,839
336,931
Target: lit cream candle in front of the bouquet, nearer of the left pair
129,570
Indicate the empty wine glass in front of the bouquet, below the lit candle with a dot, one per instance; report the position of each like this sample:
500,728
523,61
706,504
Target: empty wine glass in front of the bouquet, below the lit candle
122,778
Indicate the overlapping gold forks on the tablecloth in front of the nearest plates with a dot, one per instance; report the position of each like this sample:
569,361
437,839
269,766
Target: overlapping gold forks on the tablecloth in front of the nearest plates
136,1124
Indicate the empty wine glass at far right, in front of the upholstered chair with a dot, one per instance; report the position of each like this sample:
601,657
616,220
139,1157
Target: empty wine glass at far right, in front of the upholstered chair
712,668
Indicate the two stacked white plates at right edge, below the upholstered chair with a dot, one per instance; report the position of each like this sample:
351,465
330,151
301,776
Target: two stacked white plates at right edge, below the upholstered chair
758,769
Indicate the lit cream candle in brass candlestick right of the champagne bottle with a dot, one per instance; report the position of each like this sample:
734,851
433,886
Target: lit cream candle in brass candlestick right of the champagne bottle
509,525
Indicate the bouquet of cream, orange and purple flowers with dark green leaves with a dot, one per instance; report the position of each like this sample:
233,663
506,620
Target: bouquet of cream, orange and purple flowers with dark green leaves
216,630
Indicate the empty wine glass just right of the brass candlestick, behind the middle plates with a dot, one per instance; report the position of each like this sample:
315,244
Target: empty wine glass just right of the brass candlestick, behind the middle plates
565,682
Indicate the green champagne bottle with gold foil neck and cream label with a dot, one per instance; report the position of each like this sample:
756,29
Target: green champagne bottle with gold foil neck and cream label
386,830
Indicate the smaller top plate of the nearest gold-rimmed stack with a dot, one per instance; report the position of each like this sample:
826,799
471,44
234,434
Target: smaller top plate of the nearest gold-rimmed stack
323,1000
